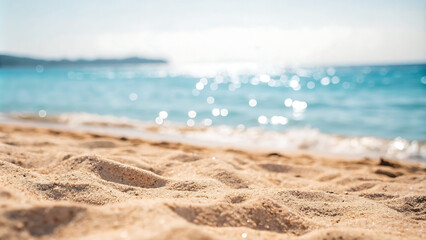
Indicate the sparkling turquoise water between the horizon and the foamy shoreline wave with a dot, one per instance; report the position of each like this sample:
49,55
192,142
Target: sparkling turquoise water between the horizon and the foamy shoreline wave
380,101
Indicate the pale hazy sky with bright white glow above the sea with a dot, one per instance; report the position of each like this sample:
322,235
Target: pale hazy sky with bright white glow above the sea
310,32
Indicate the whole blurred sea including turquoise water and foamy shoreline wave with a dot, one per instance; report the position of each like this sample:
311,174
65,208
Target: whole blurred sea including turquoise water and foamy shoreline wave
361,111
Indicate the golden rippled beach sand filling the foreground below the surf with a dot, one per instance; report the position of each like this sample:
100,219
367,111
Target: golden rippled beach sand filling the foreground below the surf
68,185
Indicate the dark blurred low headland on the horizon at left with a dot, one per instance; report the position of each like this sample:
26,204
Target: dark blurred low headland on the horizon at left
16,61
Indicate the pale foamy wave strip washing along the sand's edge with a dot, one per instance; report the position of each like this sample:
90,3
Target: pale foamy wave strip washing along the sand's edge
295,139
